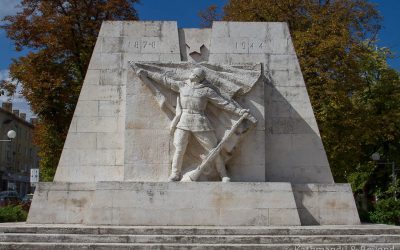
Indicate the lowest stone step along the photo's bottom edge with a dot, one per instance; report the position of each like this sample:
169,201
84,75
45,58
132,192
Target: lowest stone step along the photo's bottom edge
120,246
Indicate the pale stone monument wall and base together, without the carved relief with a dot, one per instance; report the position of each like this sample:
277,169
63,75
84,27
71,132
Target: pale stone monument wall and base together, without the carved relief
119,134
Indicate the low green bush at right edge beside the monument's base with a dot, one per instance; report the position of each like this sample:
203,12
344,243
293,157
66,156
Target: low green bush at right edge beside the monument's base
387,211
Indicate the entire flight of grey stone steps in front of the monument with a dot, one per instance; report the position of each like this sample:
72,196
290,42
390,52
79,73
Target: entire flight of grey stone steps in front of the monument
43,237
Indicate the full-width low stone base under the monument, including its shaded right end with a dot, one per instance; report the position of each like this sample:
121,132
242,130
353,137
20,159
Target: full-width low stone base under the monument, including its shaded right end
196,203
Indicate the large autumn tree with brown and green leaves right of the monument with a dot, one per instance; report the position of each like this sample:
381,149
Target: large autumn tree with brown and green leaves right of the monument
353,92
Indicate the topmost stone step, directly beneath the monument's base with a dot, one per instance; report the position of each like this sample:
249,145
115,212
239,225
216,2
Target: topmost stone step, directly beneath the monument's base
192,230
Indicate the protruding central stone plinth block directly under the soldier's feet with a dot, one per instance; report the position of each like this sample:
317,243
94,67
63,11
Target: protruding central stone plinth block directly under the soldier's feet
172,204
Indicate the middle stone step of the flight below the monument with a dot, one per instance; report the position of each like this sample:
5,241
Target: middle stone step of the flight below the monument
194,239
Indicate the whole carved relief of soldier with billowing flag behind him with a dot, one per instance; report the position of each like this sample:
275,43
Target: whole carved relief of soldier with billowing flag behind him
205,113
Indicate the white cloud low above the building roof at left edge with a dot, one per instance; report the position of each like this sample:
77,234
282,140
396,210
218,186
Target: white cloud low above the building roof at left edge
18,101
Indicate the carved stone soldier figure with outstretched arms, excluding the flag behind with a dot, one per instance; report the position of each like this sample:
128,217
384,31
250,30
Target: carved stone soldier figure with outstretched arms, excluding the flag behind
194,94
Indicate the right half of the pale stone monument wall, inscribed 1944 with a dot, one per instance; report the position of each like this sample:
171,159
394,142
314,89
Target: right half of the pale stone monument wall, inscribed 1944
291,132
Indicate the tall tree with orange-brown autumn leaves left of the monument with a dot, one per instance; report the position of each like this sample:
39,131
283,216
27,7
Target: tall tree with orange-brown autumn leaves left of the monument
61,35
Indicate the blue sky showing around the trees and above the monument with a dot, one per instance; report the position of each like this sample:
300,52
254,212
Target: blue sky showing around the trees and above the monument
186,13
